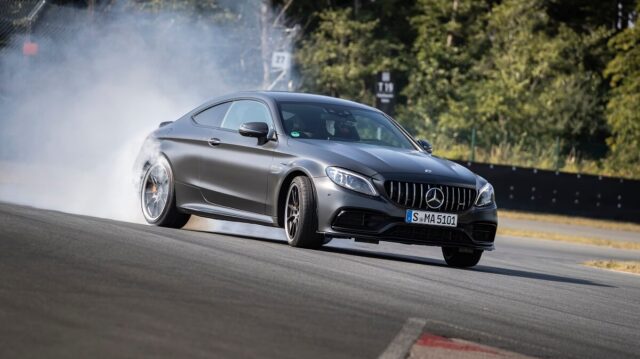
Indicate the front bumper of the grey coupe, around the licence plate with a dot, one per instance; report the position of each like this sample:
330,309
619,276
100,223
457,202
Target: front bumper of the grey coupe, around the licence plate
348,214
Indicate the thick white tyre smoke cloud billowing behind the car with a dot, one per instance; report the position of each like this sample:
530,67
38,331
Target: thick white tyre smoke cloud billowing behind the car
73,118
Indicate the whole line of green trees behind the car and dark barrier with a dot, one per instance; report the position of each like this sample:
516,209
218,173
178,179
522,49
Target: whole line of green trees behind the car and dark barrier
546,83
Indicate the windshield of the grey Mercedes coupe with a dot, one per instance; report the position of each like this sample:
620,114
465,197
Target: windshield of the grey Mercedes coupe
340,123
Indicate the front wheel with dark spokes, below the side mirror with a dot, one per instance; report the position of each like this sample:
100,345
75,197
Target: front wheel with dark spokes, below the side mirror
300,217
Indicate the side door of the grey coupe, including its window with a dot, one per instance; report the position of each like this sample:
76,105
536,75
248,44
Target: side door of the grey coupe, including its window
235,172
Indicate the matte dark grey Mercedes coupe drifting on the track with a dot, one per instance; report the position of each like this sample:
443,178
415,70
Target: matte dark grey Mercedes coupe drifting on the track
318,166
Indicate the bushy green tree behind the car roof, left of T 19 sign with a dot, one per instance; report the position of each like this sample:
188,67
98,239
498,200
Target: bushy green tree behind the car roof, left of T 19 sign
341,57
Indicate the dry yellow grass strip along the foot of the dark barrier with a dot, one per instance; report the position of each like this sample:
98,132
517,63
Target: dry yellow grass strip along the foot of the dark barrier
580,221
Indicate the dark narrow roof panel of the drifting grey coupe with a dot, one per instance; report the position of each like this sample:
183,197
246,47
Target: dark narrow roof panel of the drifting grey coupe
283,96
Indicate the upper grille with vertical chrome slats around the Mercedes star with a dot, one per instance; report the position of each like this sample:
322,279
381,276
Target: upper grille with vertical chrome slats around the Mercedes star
412,195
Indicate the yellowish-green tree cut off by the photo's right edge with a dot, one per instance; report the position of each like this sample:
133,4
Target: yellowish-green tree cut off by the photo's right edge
623,107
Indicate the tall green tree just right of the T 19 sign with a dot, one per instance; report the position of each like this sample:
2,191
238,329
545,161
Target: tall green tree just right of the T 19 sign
445,50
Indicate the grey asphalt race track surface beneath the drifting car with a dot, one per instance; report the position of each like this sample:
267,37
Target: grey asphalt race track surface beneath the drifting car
73,286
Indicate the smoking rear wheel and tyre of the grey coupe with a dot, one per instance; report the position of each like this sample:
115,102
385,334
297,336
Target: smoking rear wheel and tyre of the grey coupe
158,198
